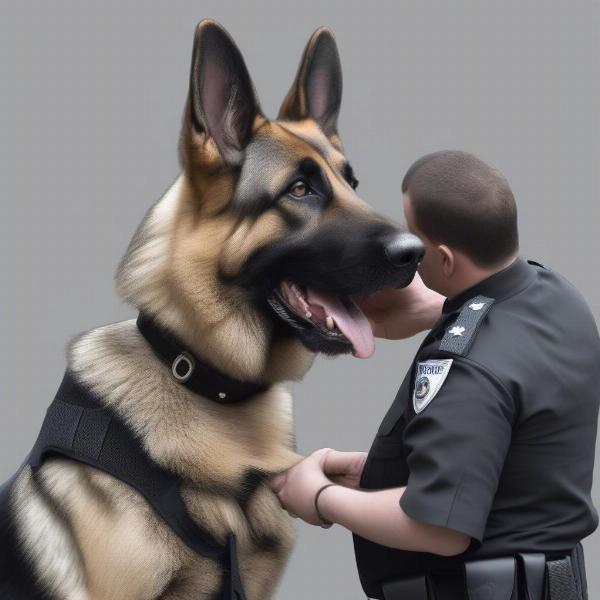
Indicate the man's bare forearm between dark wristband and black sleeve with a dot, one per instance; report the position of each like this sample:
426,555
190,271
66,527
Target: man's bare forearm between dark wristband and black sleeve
378,516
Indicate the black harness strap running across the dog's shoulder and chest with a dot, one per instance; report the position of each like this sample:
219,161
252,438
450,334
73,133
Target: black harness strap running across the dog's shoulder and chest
79,427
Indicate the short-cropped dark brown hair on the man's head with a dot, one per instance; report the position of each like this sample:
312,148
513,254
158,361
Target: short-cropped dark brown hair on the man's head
459,200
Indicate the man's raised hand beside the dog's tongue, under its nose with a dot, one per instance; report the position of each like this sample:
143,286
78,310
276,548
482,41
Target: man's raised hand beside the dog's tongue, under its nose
401,313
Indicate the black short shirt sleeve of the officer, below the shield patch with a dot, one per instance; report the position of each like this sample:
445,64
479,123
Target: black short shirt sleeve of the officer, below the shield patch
455,450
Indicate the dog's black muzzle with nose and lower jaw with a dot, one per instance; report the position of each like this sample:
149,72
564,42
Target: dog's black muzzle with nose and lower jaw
340,258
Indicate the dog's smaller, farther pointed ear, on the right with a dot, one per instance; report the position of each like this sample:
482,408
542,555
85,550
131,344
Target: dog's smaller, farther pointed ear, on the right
317,90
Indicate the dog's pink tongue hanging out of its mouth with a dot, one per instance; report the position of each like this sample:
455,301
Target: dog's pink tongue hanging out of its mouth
350,320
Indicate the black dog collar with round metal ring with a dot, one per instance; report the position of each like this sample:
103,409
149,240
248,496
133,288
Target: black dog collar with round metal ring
189,371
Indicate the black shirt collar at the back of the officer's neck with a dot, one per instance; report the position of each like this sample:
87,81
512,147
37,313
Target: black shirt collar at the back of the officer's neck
500,285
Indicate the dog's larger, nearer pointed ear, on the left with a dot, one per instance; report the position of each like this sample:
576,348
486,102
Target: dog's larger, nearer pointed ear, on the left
223,103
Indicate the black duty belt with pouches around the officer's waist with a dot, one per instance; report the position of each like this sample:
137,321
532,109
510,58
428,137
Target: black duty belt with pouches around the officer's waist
520,577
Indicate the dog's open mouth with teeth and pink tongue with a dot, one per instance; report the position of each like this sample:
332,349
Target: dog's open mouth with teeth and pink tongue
336,320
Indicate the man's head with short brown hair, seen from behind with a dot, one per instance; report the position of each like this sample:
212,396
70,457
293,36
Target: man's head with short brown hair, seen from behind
465,213
